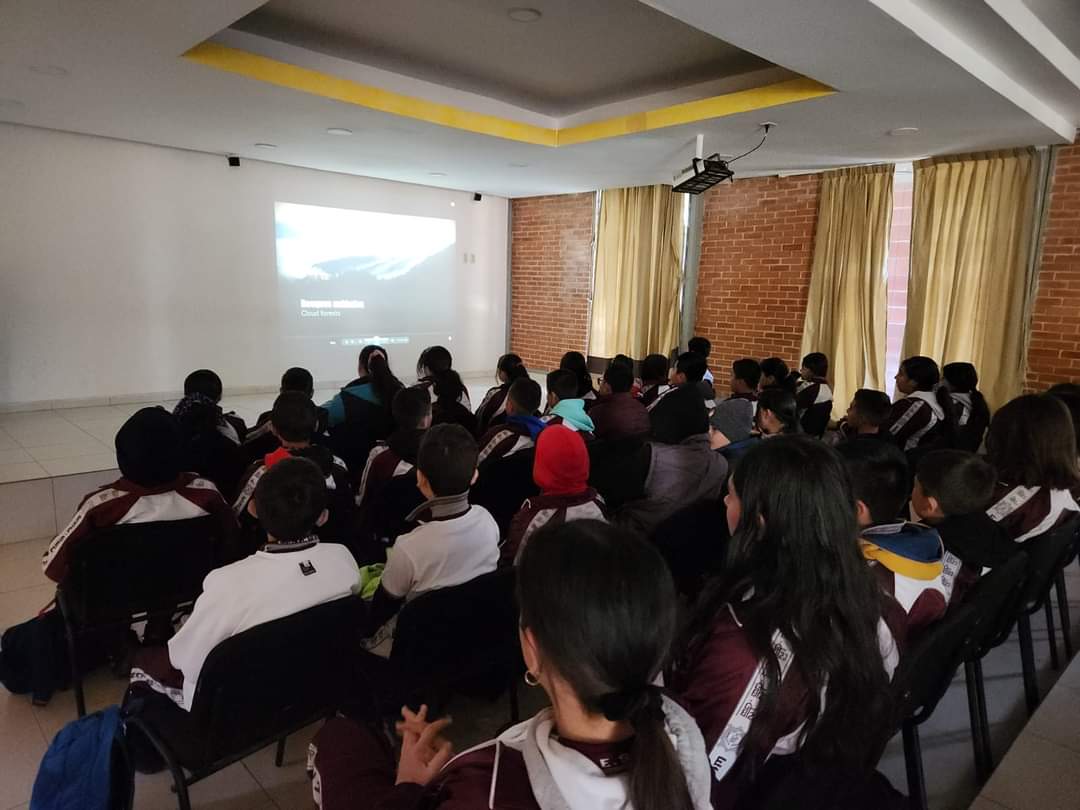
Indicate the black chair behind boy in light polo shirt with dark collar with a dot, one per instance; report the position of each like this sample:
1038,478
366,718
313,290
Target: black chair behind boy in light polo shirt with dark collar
461,640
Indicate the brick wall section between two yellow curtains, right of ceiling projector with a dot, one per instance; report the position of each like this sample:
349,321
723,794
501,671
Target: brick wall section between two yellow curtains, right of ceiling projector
757,249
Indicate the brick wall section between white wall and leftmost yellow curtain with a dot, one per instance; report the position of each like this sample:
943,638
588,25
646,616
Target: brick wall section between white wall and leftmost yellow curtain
551,268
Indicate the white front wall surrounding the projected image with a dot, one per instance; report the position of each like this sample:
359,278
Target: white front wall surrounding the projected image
124,266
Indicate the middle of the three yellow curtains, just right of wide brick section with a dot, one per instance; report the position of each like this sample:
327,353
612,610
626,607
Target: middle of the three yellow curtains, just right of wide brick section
846,309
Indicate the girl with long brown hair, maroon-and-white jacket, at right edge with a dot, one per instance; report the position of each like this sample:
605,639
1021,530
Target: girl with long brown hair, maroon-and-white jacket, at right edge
1033,447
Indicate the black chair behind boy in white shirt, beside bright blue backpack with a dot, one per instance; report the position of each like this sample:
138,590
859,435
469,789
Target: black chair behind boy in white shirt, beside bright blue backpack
255,690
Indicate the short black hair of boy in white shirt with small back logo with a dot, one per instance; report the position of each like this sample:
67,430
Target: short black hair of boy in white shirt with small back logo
290,498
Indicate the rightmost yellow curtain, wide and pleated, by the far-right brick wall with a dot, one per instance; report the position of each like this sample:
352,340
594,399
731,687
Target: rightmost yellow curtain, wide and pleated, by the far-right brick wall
973,279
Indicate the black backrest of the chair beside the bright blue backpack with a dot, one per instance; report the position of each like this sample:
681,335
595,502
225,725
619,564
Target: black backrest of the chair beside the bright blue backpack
275,677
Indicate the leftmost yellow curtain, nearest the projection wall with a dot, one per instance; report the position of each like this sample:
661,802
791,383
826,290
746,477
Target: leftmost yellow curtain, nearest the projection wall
639,273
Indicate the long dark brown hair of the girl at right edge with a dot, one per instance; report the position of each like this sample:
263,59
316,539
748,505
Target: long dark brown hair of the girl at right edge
1032,443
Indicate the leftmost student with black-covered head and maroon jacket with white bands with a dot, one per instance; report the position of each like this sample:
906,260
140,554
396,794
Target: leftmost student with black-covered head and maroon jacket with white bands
153,488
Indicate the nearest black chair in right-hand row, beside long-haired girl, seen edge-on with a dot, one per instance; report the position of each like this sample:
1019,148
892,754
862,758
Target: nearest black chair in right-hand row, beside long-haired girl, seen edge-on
923,679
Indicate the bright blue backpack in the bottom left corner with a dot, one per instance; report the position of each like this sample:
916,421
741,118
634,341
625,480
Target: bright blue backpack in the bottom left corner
86,767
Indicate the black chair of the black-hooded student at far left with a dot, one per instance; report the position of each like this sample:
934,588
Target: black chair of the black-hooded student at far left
132,573
